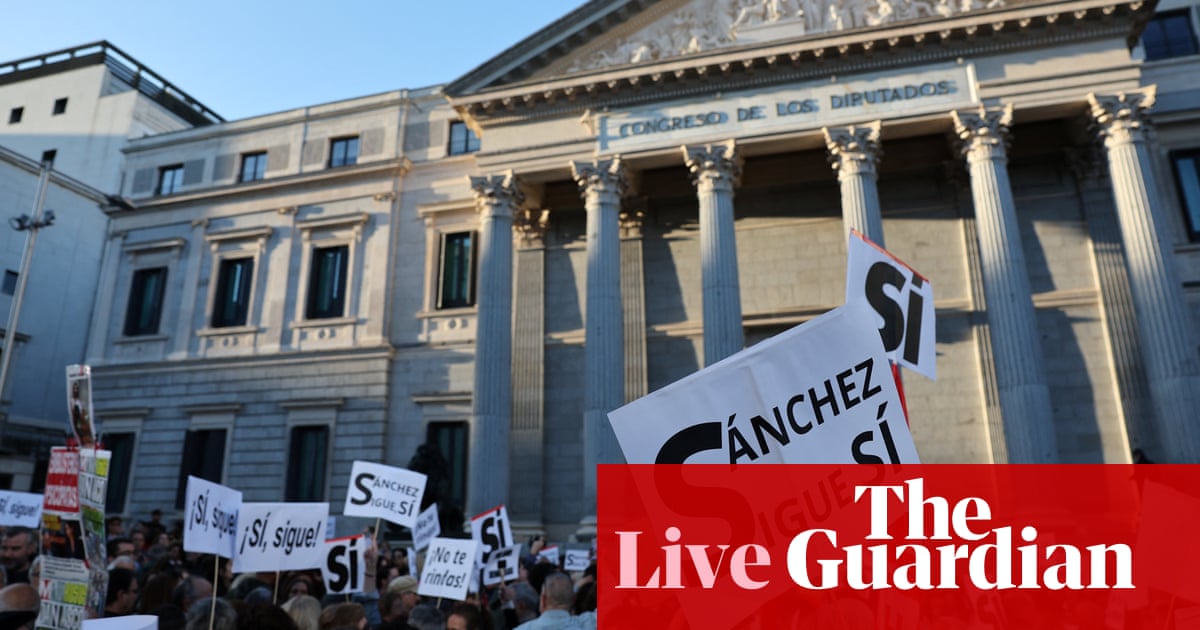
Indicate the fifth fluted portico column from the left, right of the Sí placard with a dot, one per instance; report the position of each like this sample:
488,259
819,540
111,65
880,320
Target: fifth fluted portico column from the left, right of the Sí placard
1016,341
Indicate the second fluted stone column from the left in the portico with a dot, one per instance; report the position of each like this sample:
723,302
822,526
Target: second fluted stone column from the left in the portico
602,184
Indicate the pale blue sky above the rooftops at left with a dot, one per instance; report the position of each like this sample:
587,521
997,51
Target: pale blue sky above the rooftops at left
244,58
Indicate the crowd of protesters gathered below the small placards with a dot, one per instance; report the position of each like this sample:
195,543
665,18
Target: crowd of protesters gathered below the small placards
151,574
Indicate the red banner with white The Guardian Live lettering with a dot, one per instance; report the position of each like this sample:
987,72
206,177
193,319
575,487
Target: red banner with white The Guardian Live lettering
899,548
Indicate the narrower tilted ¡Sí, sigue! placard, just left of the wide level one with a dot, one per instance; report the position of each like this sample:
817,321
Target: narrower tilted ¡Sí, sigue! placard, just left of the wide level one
211,525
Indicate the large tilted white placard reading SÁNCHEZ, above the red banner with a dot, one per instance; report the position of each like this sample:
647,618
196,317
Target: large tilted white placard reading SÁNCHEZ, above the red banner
820,393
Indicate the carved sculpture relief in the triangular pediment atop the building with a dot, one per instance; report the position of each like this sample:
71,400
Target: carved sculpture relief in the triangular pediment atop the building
710,25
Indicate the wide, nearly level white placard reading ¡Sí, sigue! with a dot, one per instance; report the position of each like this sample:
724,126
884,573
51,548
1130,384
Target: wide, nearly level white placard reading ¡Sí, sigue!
280,537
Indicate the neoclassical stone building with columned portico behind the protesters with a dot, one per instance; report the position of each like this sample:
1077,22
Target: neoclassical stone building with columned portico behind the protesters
640,190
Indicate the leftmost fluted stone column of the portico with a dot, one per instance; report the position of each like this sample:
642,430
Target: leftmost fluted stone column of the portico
497,197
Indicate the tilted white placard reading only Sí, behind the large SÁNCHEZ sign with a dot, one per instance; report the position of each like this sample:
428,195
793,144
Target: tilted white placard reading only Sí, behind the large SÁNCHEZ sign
901,298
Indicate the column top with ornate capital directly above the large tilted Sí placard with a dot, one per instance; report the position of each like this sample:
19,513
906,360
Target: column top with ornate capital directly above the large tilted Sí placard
855,153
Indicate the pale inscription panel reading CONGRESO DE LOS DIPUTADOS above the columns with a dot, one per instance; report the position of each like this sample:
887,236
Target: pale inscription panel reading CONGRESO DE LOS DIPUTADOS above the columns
935,89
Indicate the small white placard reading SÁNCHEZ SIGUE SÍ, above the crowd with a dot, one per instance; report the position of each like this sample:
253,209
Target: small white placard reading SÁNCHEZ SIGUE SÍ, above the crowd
385,493
